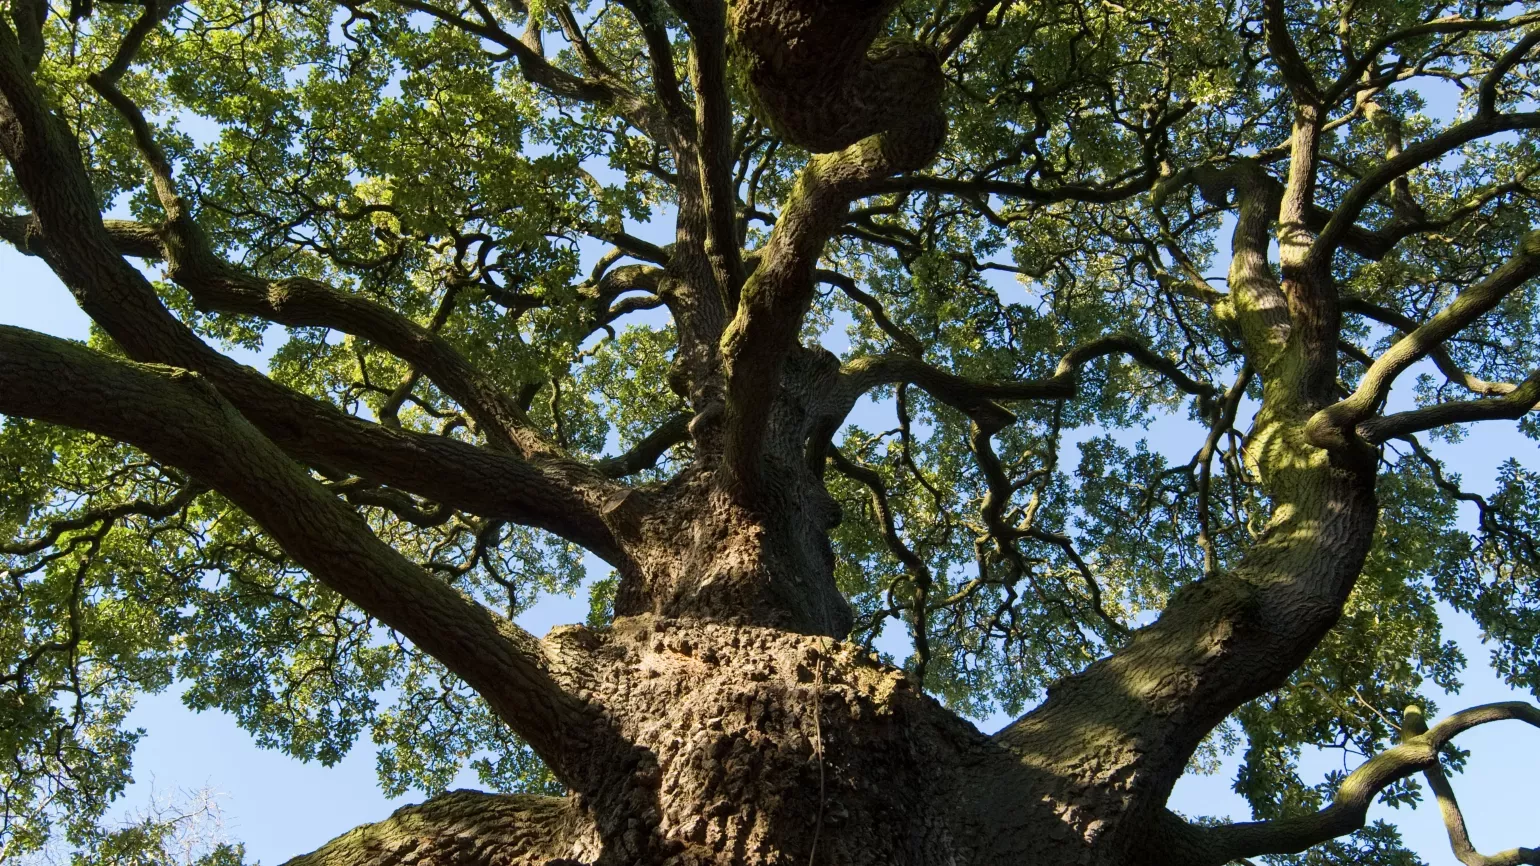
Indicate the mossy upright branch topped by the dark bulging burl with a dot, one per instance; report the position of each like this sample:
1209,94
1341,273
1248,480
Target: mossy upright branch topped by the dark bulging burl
866,116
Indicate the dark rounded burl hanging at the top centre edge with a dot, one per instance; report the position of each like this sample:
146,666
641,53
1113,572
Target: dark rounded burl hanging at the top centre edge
823,79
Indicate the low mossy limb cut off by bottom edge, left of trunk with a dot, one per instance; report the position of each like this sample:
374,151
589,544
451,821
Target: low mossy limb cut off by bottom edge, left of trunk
467,828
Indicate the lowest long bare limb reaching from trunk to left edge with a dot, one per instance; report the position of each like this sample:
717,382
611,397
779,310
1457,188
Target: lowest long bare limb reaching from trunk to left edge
182,421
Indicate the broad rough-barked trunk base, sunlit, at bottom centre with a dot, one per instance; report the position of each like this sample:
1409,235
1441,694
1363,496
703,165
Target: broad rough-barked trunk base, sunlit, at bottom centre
752,745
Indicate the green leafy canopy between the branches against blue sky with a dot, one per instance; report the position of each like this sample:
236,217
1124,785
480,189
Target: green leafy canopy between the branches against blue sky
398,158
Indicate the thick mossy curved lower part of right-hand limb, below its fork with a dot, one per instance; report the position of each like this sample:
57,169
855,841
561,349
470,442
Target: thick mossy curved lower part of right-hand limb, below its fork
1140,714
